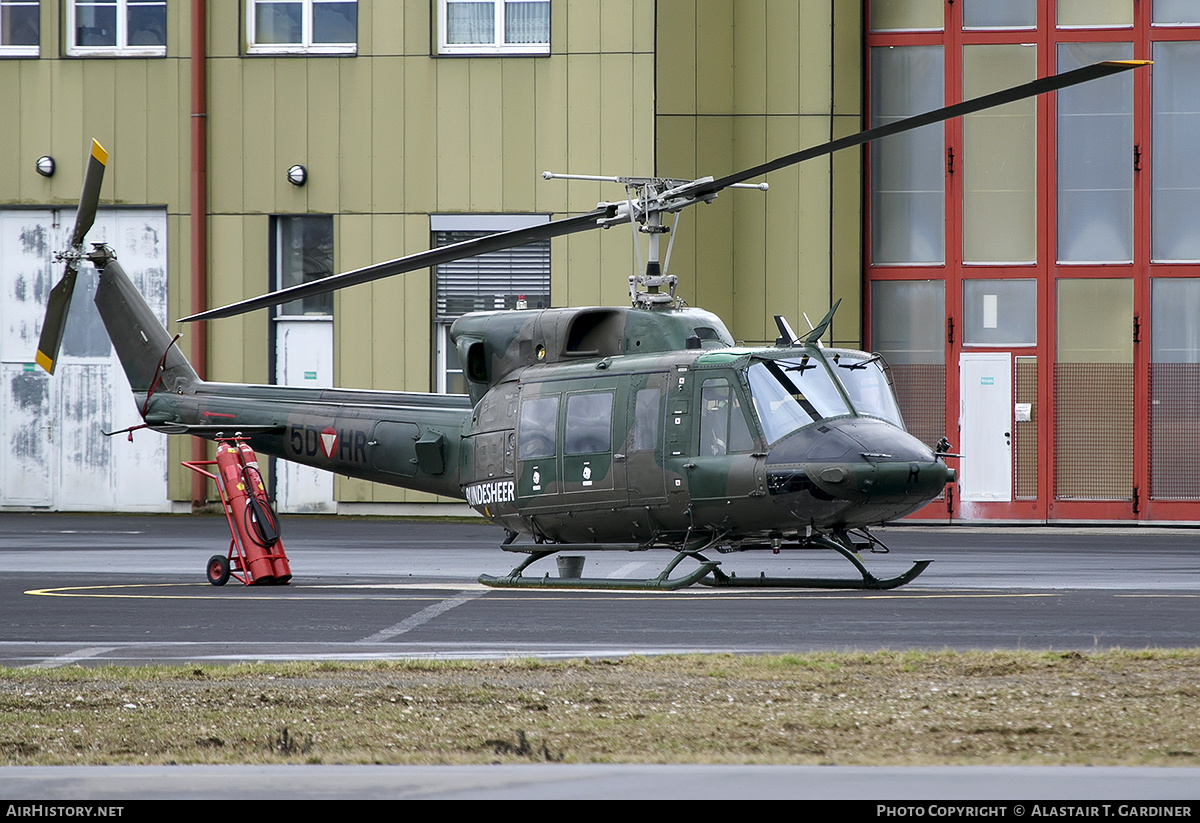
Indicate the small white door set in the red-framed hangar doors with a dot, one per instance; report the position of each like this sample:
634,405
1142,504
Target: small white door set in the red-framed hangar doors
986,426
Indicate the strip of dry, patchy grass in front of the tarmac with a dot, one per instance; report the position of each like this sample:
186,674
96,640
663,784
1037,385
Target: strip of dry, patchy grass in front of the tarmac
1105,708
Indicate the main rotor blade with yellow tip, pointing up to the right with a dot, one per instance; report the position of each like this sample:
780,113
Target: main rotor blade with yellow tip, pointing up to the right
1040,87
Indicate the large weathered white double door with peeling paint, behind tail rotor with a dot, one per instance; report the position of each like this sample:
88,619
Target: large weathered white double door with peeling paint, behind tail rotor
51,426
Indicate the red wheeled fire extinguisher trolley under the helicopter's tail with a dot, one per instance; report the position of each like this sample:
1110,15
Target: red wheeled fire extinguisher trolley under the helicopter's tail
256,552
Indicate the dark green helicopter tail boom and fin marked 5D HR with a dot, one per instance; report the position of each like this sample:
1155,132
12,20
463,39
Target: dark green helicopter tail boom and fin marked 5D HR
405,440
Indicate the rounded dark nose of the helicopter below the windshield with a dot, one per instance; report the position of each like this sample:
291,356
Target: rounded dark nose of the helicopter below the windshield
863,461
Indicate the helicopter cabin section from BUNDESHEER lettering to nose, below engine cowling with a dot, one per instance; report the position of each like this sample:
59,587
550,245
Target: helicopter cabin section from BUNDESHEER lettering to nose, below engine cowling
752,444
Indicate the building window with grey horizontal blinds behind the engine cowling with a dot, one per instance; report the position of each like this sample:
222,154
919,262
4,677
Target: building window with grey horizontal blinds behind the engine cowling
488,283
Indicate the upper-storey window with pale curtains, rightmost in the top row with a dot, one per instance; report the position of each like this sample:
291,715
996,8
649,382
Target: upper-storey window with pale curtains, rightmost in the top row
494,27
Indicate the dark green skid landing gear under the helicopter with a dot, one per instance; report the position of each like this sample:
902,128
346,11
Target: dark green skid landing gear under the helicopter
706,574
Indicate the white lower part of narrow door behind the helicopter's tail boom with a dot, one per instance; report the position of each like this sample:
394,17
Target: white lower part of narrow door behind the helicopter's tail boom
304,357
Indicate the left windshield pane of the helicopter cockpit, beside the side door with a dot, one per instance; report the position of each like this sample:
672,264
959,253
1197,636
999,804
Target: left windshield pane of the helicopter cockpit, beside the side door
790,394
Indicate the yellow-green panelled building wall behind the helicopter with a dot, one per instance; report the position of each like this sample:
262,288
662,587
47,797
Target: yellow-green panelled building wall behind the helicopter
679,88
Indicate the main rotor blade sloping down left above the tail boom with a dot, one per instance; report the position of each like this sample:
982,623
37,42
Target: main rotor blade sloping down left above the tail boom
604,215
